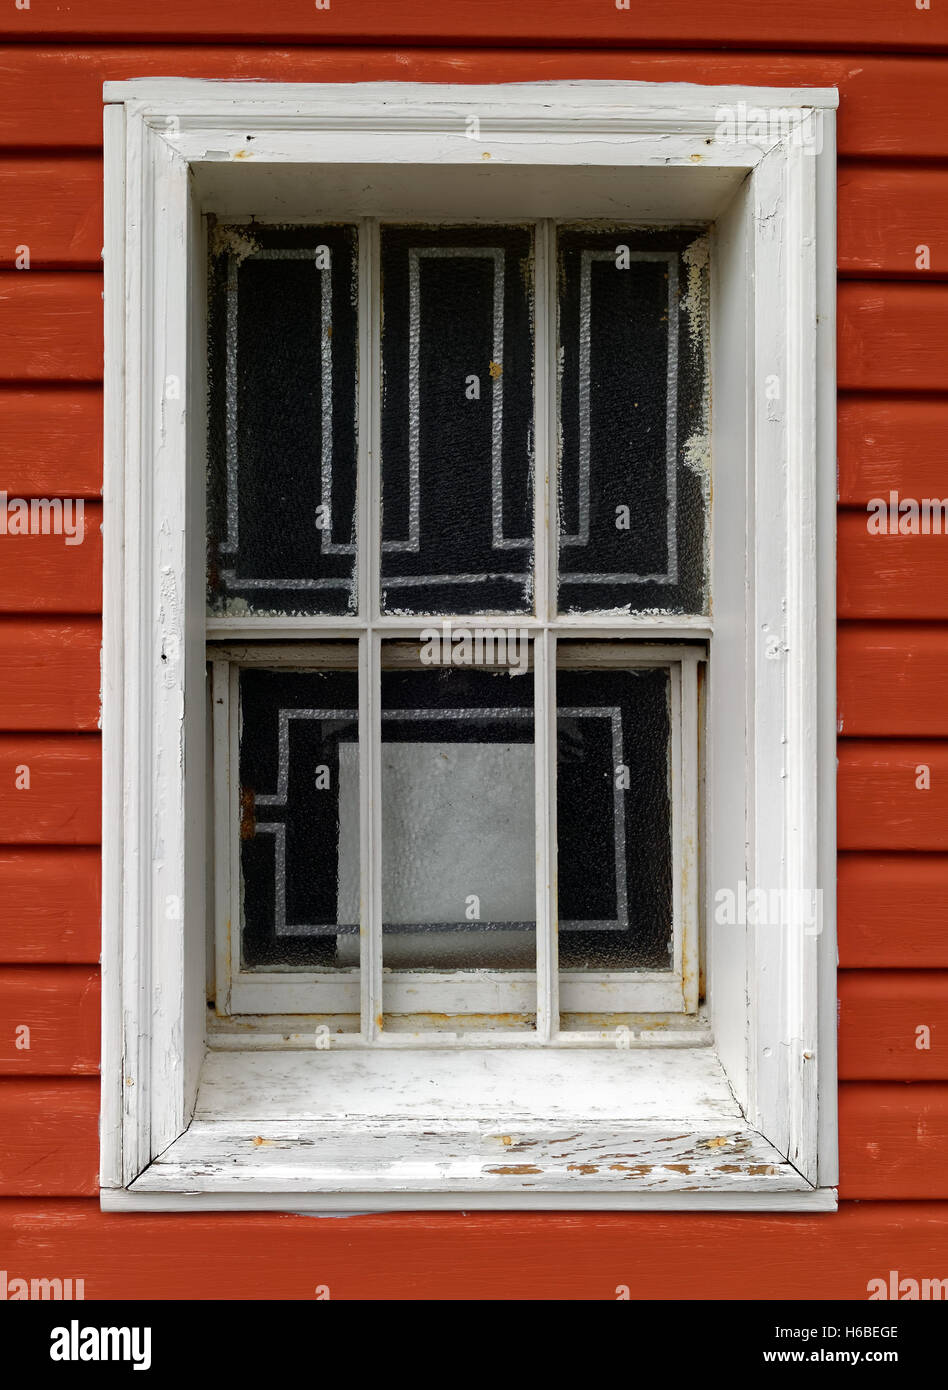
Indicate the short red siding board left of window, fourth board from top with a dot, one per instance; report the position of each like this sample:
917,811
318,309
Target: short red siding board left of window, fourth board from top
51,326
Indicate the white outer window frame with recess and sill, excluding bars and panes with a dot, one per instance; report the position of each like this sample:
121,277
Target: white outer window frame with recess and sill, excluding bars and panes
751,1121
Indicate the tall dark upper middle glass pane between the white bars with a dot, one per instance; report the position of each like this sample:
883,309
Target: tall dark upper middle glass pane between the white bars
458,419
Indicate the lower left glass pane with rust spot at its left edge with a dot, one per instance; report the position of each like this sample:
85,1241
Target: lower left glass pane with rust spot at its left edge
300,817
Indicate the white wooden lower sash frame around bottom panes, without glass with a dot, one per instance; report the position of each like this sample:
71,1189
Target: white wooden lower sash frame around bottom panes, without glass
546,992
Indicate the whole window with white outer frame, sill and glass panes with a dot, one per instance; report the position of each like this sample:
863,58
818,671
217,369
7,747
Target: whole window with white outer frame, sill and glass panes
466,667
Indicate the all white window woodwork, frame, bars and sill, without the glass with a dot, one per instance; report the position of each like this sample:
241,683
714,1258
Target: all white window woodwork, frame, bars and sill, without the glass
768,825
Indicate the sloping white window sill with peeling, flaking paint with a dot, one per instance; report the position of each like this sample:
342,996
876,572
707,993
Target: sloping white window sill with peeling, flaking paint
434,1129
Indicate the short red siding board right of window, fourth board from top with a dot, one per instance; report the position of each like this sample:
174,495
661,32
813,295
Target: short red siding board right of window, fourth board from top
893,337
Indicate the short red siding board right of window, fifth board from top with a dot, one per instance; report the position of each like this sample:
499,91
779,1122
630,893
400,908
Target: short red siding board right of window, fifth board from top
888,444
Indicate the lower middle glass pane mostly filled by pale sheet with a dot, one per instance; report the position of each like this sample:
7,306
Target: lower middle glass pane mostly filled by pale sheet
458,819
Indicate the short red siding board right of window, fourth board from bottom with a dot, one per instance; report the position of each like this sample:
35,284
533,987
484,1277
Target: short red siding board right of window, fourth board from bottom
893,911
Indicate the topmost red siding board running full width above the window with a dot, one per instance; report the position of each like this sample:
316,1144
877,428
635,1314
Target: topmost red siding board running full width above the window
808,24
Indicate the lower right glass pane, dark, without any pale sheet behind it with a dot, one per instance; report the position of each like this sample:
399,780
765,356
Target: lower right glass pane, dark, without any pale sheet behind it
614,818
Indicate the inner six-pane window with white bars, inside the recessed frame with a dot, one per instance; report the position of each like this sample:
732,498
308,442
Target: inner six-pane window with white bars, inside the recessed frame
476,932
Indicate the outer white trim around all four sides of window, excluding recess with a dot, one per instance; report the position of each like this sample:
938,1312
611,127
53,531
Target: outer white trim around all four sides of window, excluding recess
159,136
